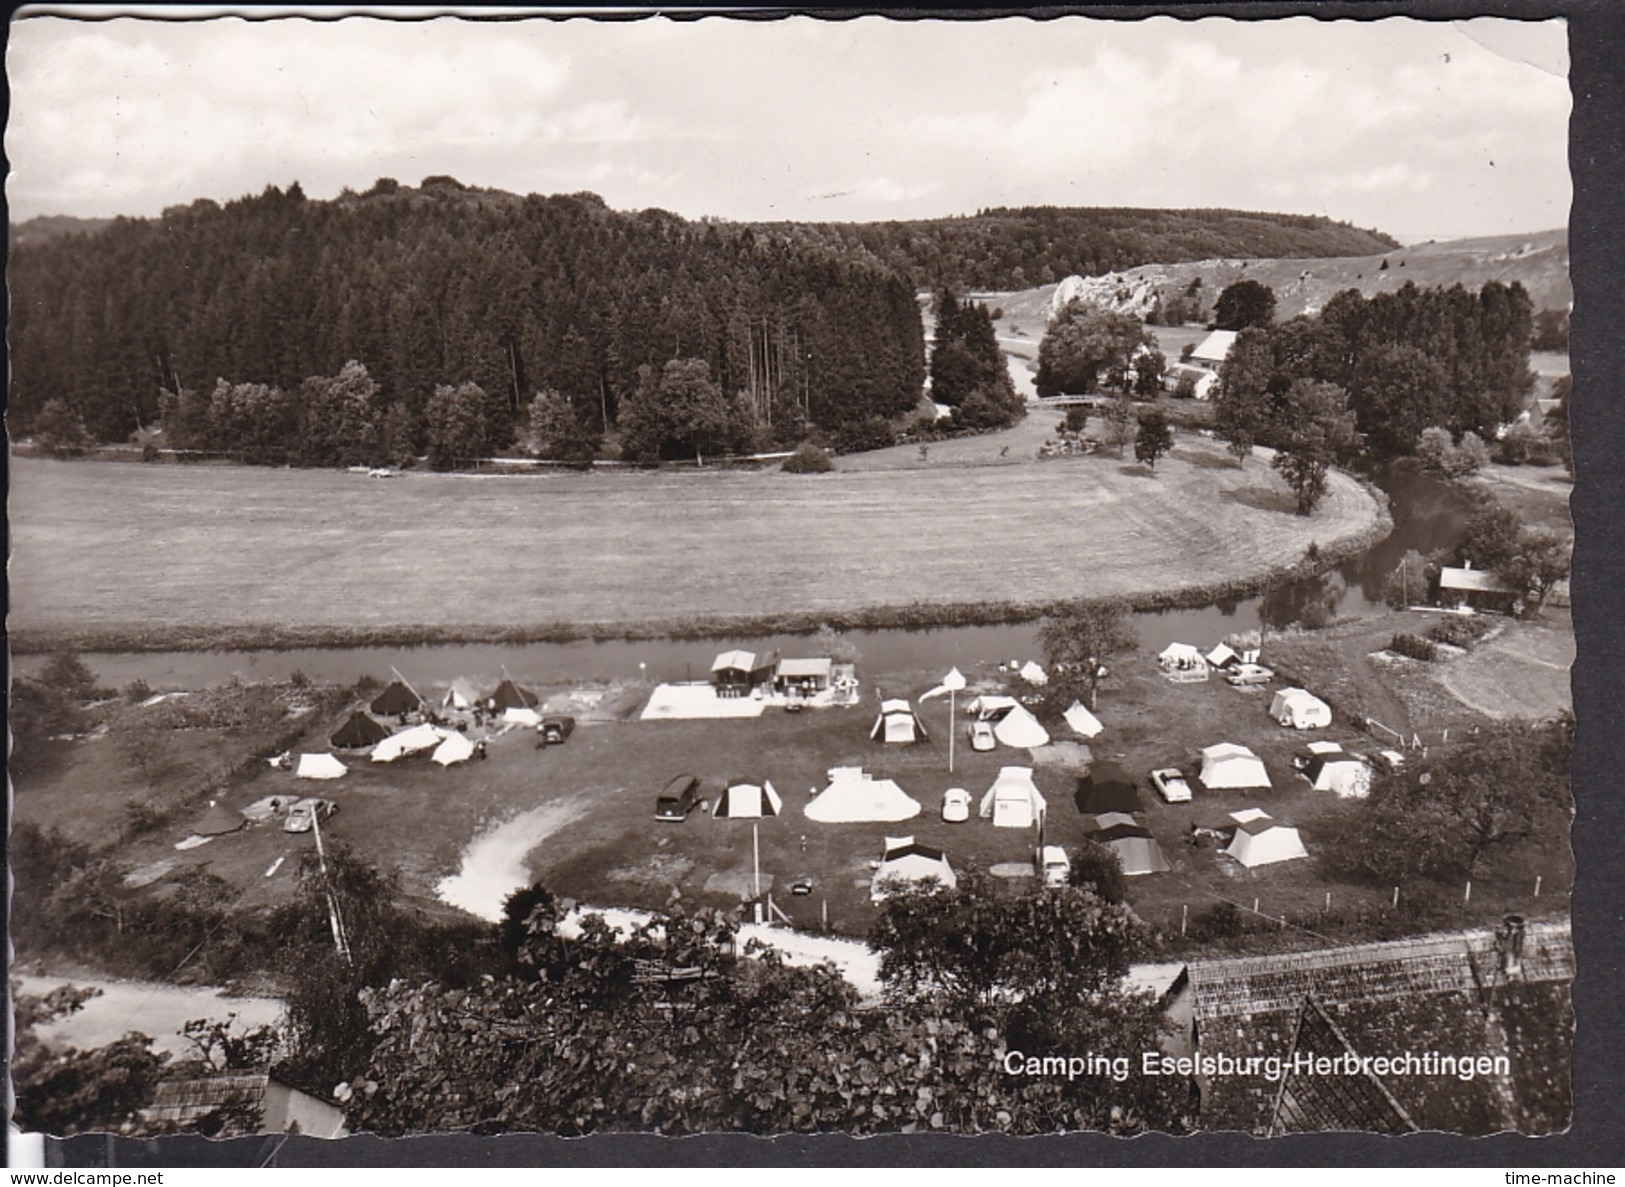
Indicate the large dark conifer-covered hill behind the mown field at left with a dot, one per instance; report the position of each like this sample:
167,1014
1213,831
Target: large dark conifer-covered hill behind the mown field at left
444,285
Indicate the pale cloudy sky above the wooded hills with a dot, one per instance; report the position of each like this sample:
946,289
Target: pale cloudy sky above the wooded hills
1411,128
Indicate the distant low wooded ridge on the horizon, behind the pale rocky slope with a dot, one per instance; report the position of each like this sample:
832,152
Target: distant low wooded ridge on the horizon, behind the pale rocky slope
1013,250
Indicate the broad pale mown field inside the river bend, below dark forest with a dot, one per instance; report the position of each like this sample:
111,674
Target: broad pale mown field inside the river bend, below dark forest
113,552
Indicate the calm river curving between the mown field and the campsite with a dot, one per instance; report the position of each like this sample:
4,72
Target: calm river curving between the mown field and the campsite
1428,515
